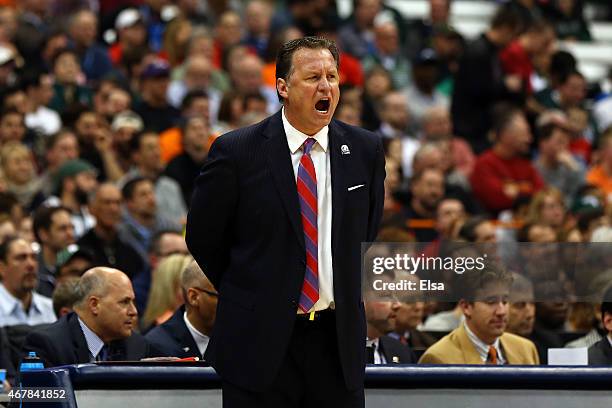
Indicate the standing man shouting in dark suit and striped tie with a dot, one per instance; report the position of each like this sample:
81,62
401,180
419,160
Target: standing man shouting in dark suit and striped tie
277,219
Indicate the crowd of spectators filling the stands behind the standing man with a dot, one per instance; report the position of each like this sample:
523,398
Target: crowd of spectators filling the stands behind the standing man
108,110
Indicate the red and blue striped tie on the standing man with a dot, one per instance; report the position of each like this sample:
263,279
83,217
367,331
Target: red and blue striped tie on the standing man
307,193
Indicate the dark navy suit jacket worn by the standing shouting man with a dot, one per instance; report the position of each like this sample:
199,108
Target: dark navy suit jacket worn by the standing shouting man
244,229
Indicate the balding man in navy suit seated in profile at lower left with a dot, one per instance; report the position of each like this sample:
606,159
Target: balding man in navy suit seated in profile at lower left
100,328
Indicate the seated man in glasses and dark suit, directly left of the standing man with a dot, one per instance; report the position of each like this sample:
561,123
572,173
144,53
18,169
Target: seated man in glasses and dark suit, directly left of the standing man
187,332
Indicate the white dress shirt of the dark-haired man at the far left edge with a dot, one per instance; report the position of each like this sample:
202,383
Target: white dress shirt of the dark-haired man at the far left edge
12,312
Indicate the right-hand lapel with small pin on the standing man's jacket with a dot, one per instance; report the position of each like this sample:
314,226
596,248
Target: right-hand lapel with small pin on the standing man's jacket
339,171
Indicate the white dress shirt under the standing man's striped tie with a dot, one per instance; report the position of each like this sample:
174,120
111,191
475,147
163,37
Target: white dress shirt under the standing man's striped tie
320,158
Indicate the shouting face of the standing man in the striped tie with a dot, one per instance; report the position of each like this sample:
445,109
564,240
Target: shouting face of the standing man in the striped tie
311,92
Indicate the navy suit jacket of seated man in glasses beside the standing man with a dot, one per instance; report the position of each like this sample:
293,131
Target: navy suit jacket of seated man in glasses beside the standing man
173,339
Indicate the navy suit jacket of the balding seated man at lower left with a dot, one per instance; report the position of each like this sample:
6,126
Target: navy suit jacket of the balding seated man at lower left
63,343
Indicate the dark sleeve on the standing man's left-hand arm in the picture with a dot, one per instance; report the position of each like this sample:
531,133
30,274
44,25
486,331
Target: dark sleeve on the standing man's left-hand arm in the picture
210,216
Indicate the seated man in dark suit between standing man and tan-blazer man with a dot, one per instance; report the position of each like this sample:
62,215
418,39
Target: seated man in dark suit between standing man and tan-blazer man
380,348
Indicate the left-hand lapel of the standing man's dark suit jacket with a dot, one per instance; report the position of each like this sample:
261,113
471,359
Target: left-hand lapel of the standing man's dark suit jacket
279,161
